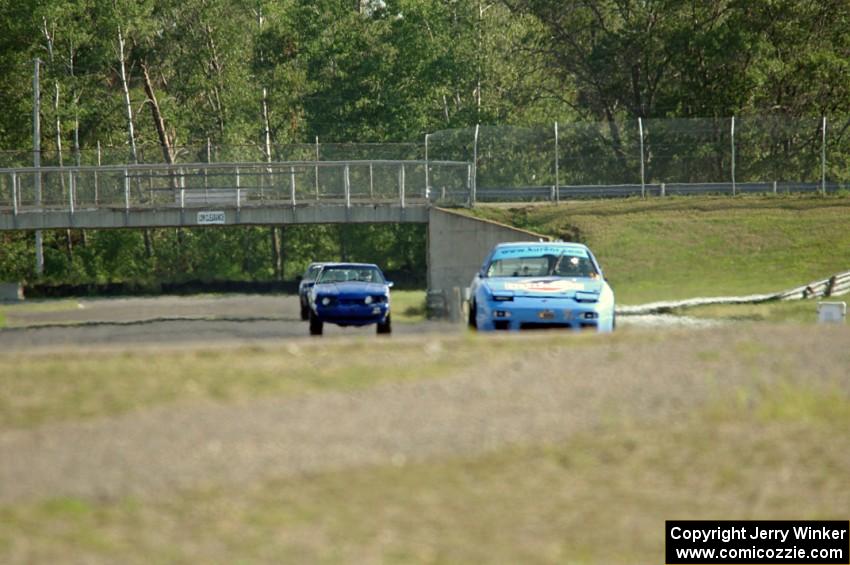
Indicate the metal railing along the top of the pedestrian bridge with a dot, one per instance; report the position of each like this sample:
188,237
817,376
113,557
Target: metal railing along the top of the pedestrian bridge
293,183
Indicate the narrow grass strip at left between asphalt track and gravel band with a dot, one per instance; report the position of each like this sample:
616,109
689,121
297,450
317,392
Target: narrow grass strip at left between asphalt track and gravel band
41,388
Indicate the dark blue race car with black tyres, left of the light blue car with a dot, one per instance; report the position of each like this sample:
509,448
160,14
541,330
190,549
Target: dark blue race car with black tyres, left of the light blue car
350,294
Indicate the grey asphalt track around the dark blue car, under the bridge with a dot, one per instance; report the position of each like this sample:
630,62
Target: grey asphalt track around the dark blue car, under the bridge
172,320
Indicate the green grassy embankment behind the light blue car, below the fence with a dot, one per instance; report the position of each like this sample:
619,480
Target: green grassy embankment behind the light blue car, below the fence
675,248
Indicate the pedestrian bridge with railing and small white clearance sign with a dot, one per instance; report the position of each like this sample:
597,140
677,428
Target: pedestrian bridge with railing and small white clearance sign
187,195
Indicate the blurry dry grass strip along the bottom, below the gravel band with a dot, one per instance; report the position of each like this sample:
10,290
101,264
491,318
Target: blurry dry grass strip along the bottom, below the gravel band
599,498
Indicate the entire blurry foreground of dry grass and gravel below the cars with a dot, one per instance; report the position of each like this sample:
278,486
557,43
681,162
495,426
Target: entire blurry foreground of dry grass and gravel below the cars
530,448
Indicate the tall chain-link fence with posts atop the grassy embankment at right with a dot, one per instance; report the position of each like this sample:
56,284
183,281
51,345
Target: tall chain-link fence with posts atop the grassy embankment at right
700,155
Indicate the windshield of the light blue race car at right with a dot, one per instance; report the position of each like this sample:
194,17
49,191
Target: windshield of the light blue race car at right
562,263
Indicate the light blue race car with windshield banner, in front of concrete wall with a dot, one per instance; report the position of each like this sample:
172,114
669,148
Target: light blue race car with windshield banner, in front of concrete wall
541,285
